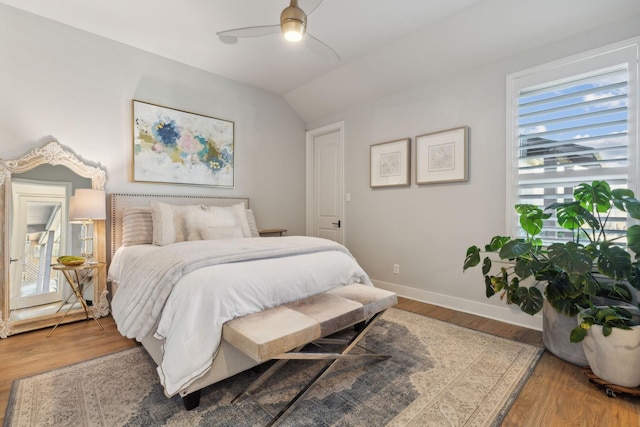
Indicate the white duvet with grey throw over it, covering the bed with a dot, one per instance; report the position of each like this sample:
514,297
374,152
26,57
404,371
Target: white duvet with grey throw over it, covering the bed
200,300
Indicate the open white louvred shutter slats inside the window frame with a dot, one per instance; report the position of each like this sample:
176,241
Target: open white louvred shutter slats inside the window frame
571,132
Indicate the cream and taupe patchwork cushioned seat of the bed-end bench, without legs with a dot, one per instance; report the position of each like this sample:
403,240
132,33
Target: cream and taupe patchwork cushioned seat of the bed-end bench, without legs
271,332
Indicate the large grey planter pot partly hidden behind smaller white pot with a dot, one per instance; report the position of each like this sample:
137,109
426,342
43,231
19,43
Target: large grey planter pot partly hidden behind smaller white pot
556,329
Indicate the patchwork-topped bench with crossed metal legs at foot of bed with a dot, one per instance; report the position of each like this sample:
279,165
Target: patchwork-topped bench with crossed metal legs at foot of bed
282,332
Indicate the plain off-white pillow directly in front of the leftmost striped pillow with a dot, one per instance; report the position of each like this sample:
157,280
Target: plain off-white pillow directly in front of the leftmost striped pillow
168,222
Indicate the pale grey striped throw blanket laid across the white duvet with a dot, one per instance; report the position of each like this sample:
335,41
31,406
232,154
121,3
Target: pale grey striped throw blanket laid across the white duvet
144,289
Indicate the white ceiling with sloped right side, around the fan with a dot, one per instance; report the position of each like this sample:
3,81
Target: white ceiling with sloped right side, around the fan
385,45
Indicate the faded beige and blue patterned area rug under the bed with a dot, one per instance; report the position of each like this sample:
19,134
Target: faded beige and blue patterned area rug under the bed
440,374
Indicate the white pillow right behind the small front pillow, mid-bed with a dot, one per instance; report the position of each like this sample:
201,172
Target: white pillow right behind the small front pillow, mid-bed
216,217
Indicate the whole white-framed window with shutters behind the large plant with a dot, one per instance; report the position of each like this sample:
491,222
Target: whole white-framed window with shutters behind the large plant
570,122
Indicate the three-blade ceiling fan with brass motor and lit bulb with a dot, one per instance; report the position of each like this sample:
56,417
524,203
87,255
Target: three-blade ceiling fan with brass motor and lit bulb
293,25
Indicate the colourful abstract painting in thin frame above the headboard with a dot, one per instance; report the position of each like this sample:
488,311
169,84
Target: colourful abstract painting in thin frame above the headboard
173,146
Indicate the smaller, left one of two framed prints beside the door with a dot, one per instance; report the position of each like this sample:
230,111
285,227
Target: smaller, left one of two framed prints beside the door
390,164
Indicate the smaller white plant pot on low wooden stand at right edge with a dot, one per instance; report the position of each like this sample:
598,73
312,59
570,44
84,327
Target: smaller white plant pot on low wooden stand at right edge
616,358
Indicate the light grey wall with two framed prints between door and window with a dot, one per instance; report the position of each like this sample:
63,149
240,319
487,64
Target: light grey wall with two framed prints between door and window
426,229
